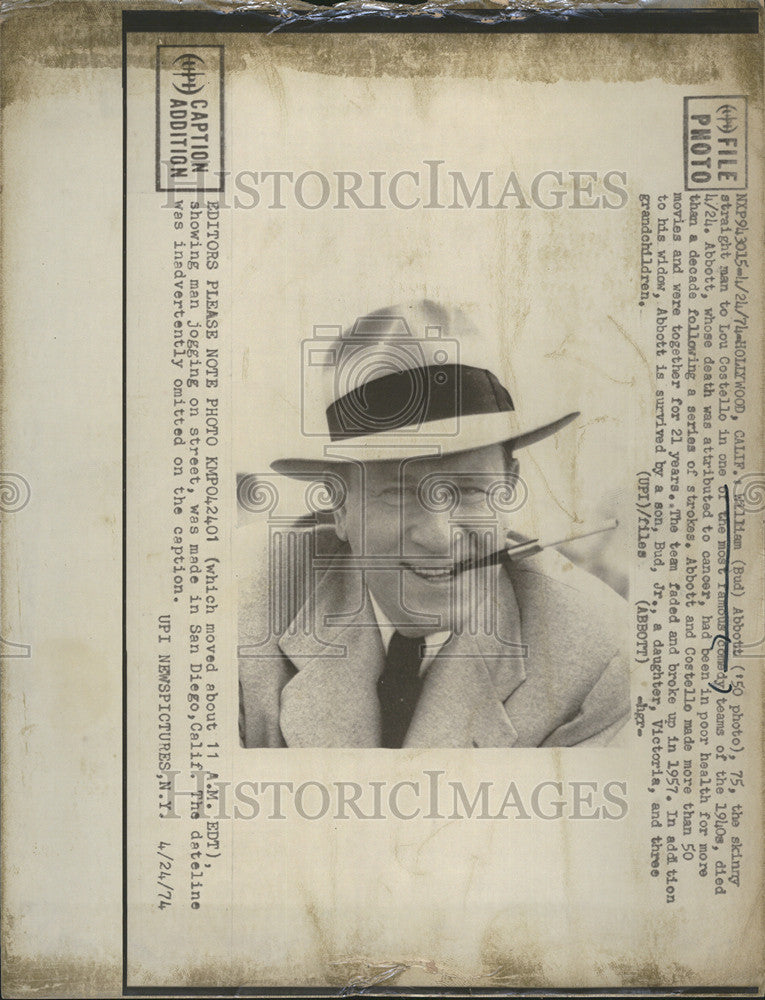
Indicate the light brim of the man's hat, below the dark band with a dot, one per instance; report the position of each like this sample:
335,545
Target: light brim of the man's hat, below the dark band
433,439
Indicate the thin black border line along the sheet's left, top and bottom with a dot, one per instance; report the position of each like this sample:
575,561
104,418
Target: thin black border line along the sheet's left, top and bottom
591,20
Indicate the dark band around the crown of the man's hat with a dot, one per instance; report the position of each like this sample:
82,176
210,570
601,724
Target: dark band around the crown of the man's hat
409,398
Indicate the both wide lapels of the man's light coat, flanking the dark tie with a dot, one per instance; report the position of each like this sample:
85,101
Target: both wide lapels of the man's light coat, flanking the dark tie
332,700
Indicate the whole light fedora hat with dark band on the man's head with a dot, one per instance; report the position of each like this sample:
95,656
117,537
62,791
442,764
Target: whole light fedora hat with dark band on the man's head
402,382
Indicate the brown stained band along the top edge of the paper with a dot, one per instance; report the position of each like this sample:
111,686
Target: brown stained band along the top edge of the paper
88,36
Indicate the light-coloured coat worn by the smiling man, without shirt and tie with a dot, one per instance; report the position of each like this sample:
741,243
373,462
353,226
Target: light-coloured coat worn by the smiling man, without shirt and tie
553,671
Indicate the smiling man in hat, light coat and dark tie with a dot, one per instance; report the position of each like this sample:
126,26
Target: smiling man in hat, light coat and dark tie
397,624
